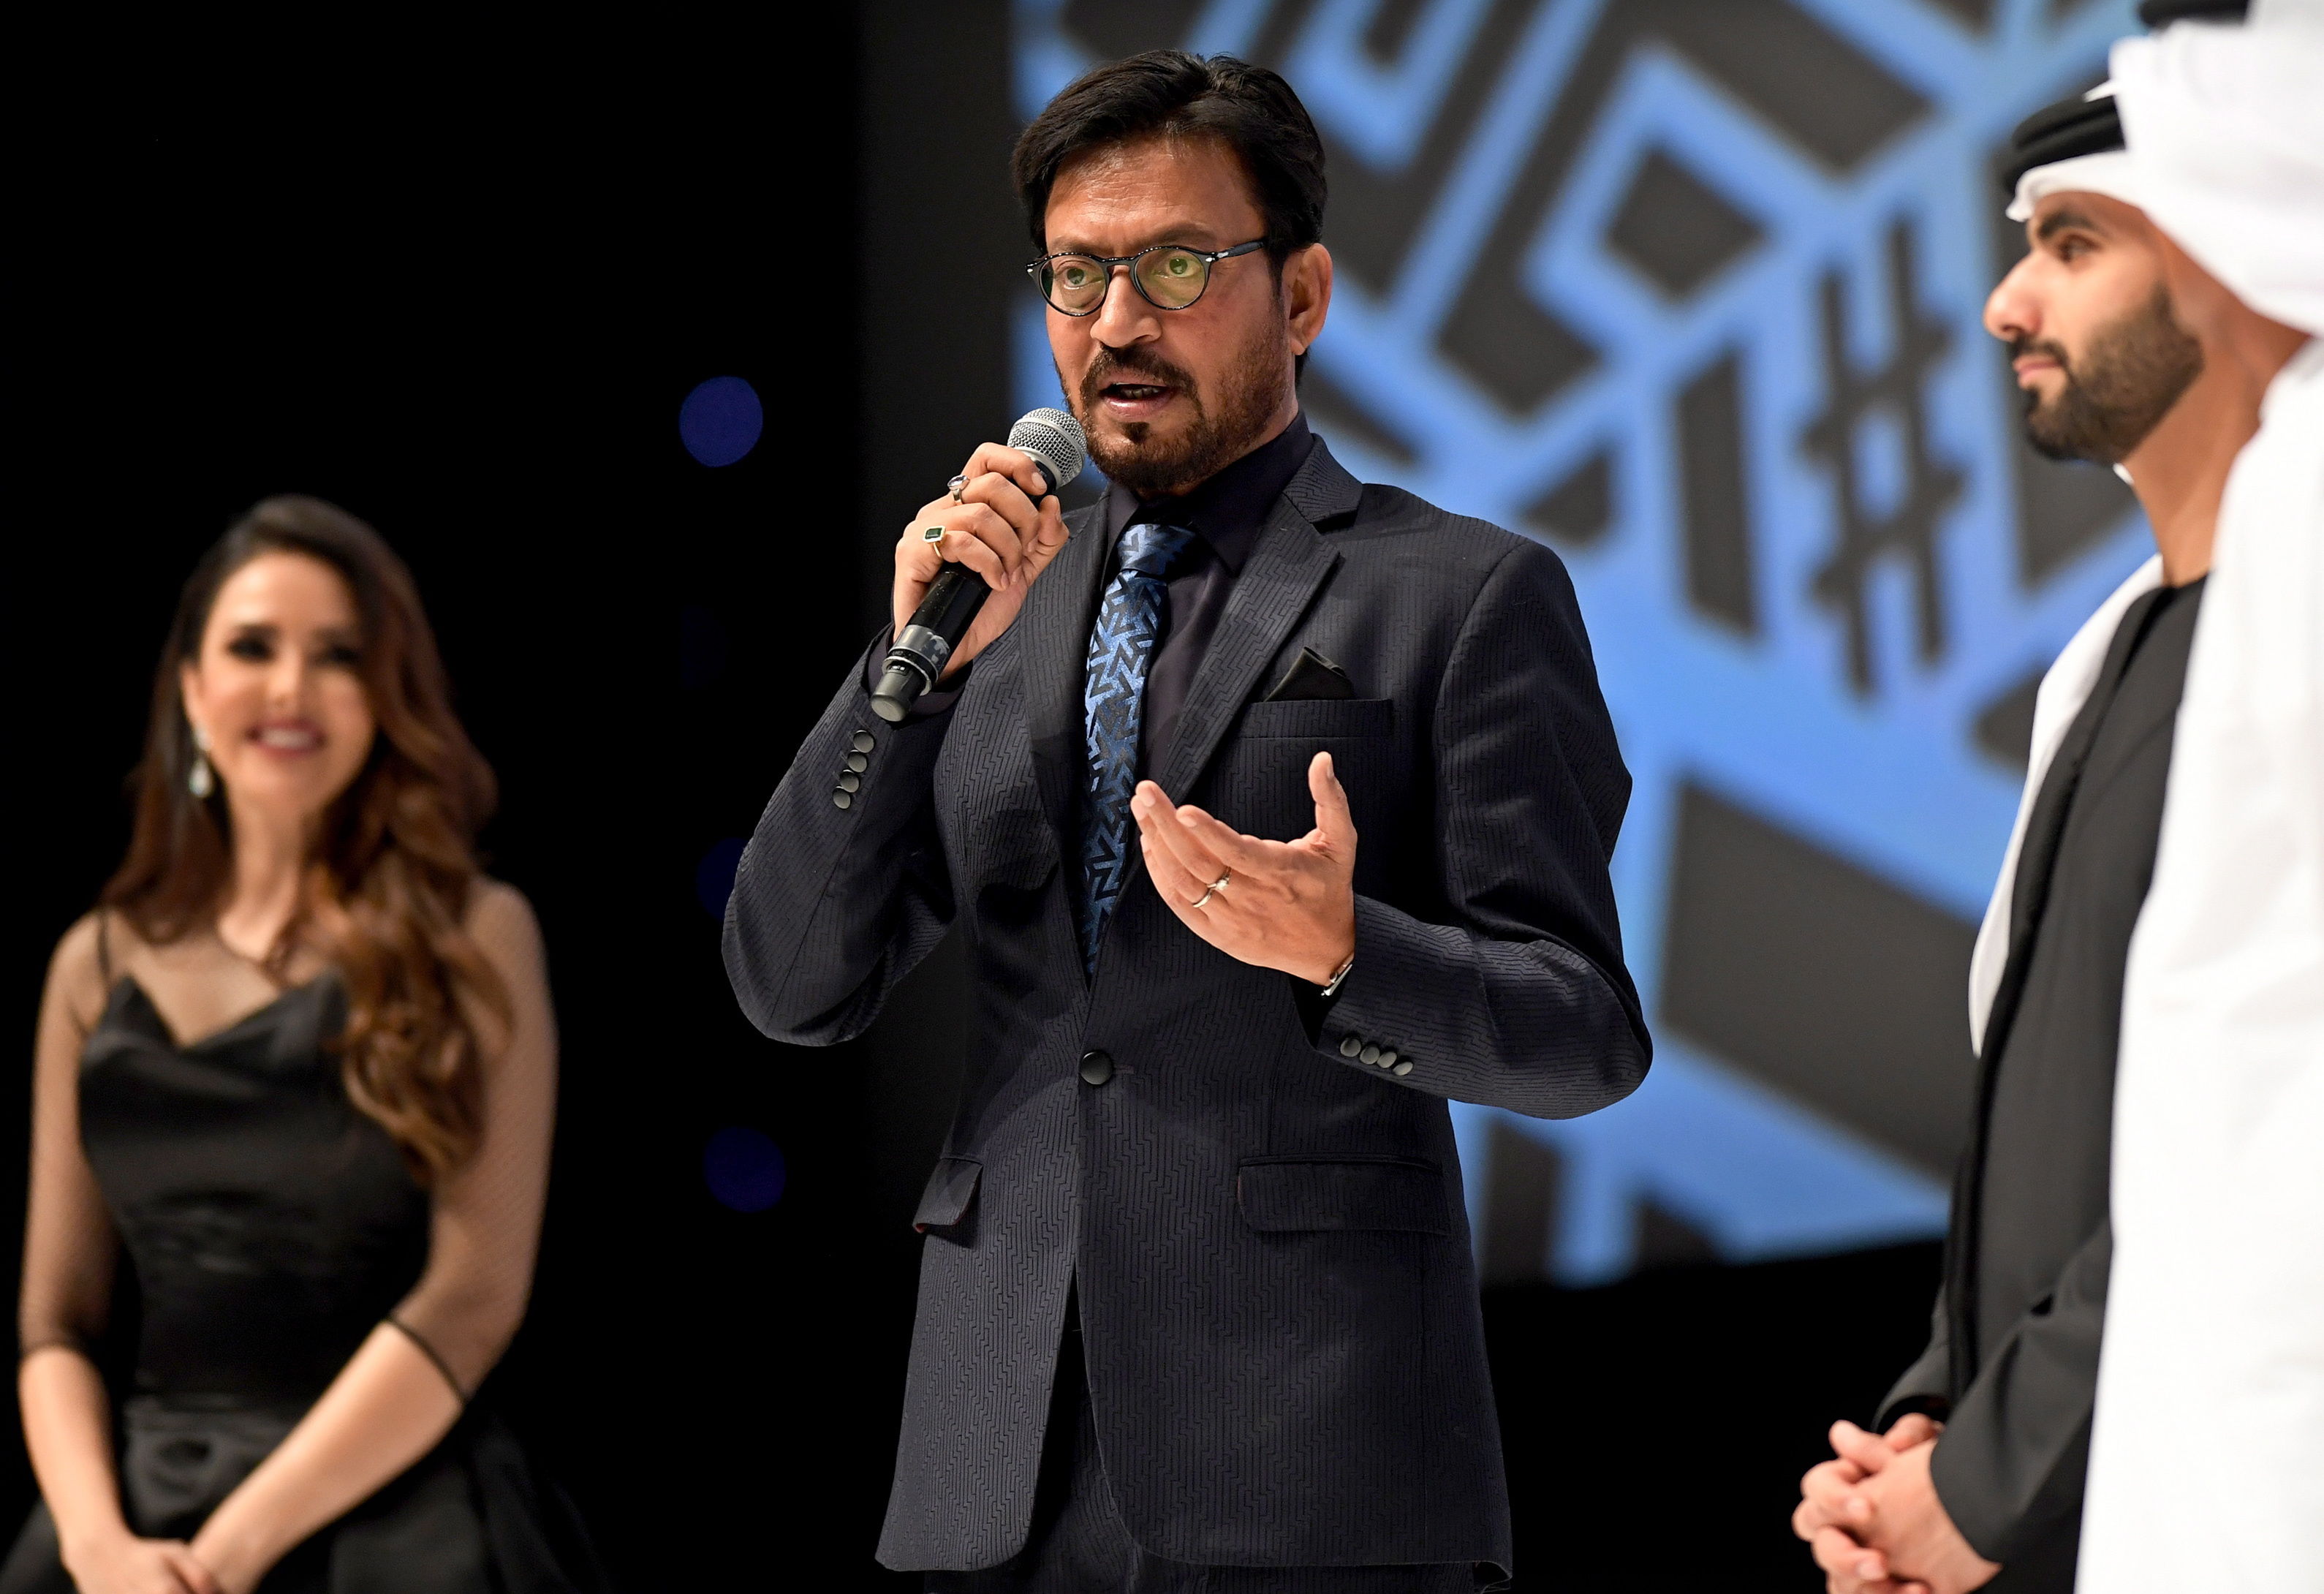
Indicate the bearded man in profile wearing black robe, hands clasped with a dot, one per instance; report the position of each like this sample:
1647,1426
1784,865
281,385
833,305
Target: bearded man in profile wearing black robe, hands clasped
2132,357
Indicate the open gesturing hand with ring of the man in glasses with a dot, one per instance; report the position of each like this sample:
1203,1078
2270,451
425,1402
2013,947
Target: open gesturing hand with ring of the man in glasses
1284,905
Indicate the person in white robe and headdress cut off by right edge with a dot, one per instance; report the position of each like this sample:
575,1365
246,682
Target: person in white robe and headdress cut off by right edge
2209,1446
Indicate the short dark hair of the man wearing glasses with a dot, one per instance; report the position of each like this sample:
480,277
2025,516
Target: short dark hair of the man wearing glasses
1175,94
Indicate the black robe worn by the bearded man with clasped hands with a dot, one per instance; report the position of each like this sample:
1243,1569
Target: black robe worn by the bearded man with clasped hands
2016,1354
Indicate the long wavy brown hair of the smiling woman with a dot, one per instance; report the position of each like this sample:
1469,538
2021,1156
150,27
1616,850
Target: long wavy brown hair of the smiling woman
394,868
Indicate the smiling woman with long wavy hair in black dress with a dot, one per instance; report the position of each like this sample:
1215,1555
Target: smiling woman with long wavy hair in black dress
301,1068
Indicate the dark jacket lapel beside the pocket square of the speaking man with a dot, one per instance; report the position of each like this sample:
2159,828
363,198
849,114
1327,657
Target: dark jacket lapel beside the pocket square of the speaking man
1270,598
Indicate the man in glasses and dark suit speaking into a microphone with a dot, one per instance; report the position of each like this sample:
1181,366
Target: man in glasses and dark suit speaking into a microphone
1198,1305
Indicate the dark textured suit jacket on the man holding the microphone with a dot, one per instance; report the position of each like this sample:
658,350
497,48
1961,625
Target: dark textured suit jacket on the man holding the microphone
1268,1233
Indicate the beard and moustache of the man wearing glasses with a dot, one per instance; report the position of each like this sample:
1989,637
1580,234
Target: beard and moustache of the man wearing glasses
1147,464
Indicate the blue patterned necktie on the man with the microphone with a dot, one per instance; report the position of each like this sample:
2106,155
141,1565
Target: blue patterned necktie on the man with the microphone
1112,710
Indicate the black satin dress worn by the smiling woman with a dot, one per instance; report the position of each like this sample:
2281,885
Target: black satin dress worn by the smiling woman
273,1228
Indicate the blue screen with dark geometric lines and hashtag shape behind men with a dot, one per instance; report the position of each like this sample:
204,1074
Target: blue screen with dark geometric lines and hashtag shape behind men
1879,596
